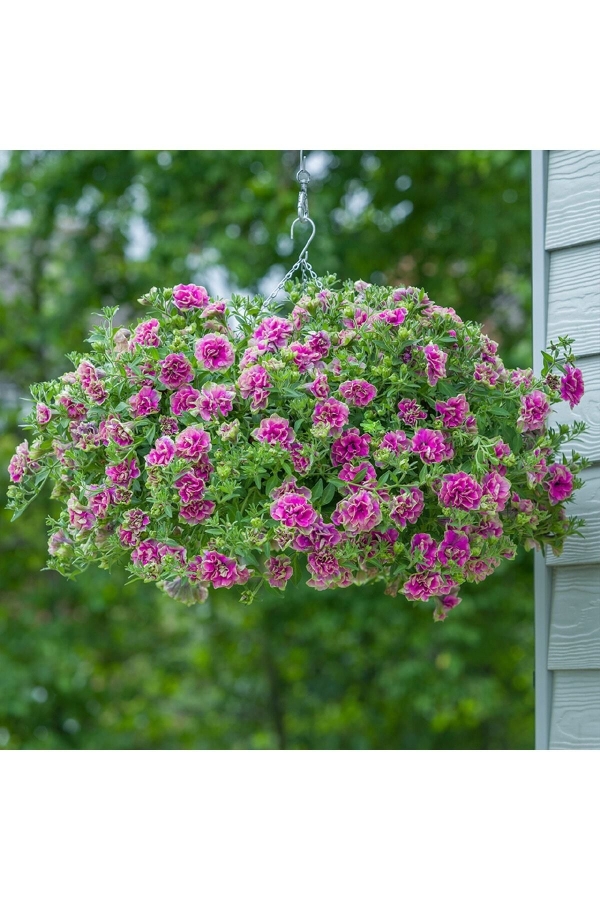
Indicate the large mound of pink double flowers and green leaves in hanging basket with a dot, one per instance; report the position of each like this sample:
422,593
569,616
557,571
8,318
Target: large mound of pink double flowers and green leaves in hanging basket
361,434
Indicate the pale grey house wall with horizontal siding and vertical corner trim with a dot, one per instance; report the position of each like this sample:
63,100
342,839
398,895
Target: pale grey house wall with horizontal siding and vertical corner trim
566,284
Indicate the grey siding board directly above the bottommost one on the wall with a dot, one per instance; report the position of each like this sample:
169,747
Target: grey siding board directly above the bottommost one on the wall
575,619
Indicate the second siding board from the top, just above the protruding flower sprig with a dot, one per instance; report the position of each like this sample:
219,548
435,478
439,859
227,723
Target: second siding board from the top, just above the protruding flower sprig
574,297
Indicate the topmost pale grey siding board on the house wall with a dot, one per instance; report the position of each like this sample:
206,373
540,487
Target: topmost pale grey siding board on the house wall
573,209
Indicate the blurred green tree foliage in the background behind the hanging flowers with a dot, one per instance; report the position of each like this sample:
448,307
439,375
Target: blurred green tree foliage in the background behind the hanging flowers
97,664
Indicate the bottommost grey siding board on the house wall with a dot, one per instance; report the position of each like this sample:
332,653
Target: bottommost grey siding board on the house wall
575,723
